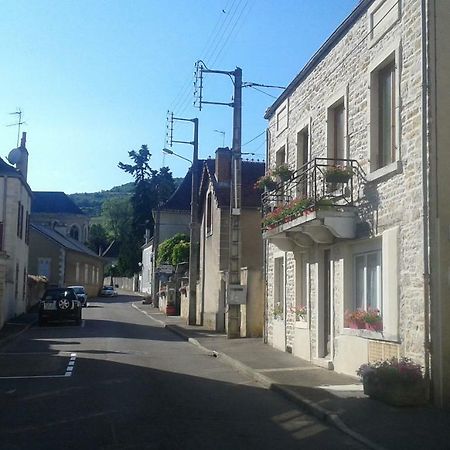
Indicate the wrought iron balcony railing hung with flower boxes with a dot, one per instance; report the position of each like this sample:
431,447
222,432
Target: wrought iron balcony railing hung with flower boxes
322,183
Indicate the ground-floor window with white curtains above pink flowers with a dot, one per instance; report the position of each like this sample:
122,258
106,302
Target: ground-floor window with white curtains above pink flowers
367,280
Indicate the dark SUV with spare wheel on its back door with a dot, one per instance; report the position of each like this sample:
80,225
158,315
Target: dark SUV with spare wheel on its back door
59,304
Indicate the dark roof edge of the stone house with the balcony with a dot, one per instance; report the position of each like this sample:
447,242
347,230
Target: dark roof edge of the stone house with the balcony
351,19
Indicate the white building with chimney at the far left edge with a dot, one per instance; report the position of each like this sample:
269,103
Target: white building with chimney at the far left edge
15,205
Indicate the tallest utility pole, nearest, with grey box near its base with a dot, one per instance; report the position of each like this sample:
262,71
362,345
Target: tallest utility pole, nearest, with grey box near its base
235,292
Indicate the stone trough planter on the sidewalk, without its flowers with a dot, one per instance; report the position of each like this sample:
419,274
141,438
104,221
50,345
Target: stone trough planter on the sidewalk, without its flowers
396,392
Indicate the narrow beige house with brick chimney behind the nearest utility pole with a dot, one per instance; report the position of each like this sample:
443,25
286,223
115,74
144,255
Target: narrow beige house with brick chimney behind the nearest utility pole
214,216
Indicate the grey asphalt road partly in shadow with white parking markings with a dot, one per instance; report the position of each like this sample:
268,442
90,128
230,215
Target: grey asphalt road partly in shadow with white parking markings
121,381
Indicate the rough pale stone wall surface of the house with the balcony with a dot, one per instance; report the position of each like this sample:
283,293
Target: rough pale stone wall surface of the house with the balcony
392,200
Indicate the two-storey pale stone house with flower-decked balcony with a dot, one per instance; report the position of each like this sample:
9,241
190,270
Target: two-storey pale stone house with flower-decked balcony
362,223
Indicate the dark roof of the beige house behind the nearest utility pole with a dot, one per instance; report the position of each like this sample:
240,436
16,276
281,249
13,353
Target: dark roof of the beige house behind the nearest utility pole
250,197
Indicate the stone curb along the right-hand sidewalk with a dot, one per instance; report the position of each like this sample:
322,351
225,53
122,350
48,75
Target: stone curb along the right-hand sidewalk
306,405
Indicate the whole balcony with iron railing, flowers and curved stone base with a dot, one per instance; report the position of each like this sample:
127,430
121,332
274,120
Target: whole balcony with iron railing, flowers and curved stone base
315,204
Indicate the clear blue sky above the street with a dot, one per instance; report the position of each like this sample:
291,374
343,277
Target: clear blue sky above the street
94,79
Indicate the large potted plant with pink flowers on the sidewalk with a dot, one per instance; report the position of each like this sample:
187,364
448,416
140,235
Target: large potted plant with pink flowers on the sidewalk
398,382
